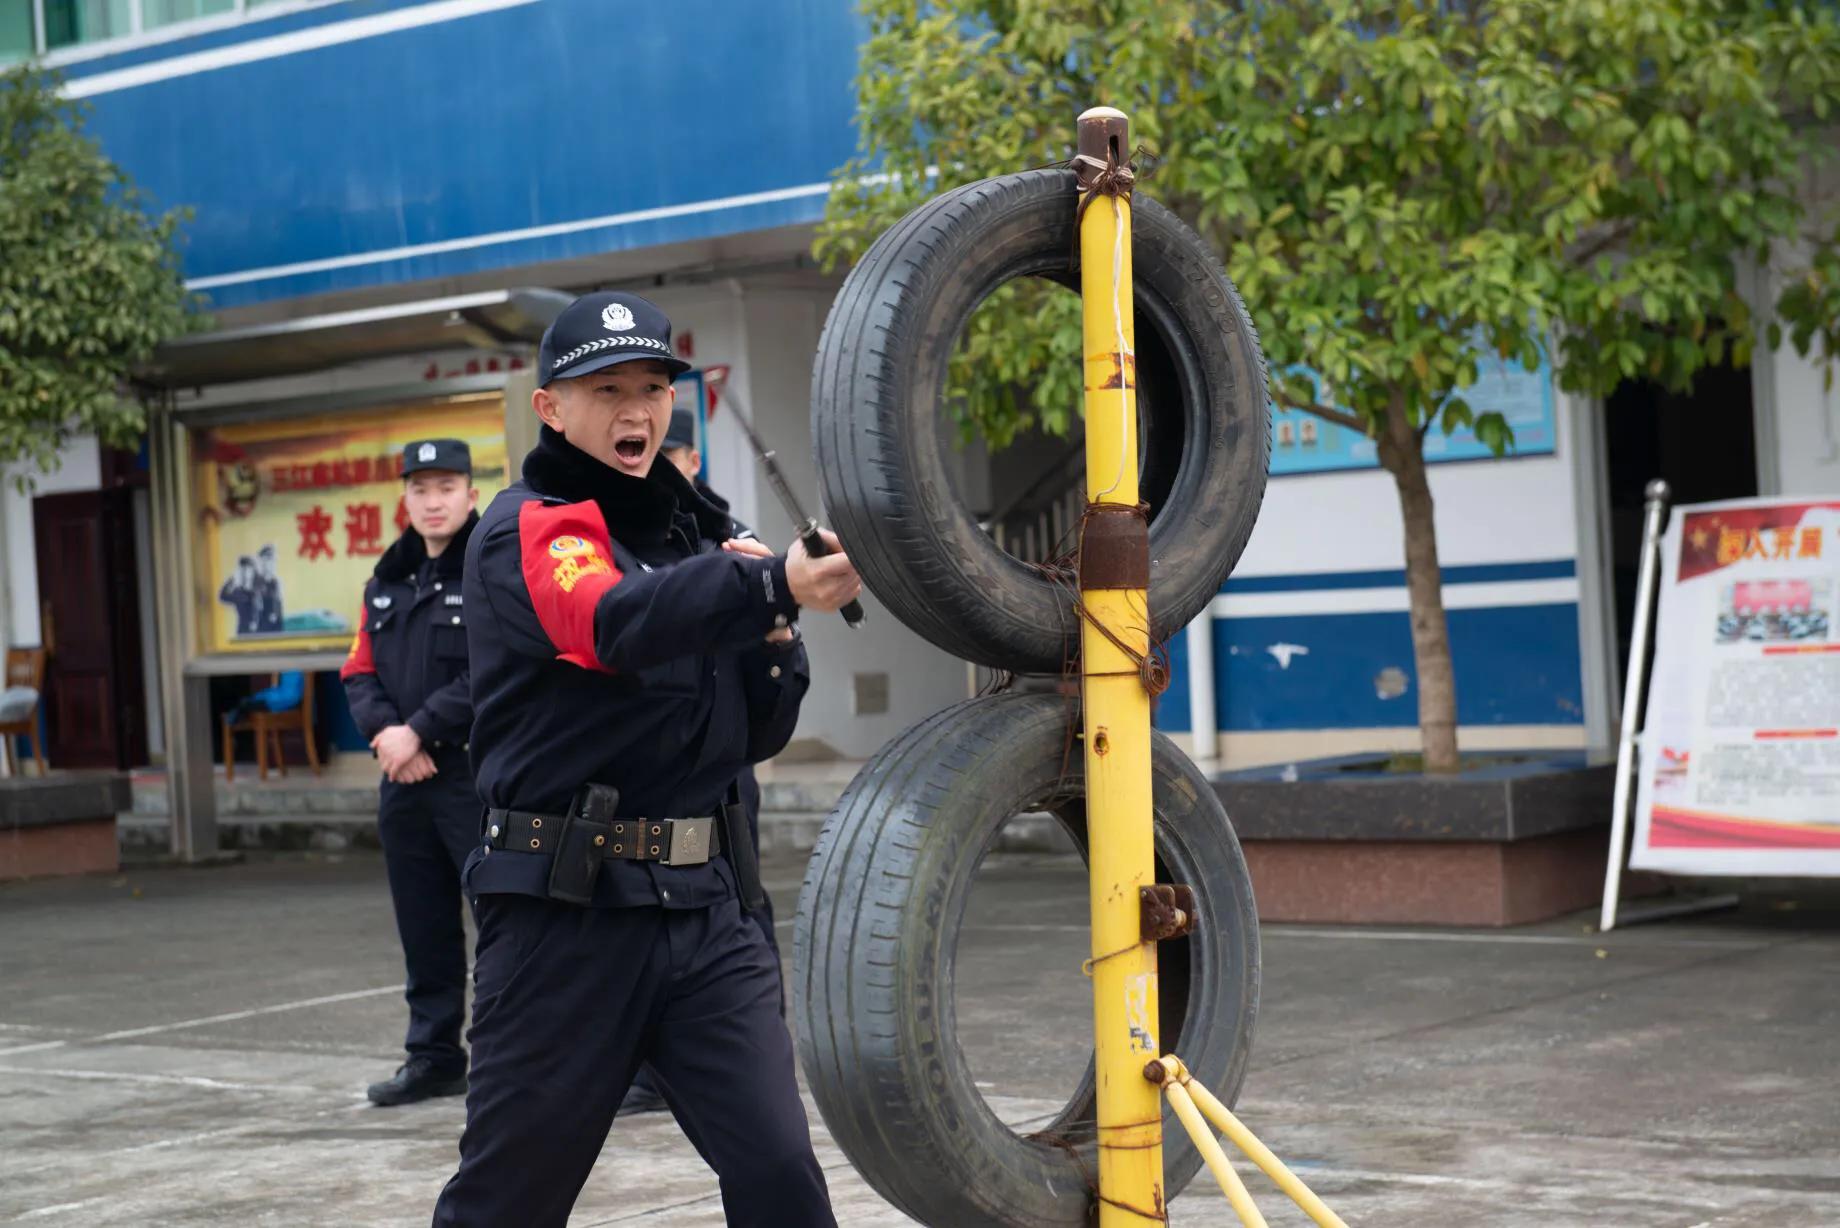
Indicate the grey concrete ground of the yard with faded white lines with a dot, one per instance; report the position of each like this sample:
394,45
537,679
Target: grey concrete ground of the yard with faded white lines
189,1047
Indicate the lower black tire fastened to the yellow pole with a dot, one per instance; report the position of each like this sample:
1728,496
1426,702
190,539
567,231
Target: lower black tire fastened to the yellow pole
877,942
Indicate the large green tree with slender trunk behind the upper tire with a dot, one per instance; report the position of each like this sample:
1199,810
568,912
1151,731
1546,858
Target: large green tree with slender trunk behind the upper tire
1403,191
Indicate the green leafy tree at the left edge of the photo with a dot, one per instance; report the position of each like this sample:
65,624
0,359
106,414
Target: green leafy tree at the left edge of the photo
89,279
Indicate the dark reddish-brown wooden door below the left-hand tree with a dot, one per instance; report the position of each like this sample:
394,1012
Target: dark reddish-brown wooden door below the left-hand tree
89,620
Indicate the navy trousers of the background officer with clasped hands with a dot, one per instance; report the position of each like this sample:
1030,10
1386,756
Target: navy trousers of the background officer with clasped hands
428,833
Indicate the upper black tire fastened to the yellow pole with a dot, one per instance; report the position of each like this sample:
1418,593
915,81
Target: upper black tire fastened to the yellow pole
879,410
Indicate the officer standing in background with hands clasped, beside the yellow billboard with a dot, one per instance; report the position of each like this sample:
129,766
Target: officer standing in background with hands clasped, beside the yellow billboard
408,686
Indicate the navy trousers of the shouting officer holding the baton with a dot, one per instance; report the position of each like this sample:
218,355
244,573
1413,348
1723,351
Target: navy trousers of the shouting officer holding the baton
569,1002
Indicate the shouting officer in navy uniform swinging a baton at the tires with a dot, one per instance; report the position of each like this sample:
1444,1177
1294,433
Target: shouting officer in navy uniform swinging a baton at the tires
630,660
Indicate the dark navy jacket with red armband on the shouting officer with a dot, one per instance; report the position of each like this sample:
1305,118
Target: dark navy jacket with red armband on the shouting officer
615,642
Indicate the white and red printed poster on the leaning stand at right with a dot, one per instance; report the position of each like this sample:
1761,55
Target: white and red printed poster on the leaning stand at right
1740,769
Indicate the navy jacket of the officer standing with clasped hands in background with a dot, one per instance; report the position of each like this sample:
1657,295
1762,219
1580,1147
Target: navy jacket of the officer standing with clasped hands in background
408,662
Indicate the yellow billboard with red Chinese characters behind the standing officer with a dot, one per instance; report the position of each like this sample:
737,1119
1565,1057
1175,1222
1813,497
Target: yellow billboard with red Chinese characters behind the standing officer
293,515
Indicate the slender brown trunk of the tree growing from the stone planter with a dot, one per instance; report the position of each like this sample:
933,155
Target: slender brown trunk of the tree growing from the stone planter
1403,456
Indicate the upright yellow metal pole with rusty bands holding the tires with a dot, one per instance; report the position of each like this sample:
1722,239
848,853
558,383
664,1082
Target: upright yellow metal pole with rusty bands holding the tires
1114,575
